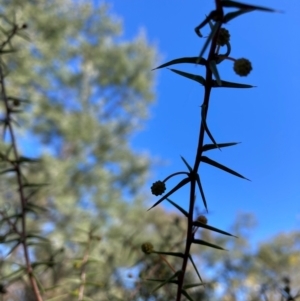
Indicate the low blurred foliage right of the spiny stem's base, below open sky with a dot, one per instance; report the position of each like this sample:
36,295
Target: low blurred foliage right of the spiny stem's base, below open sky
247,272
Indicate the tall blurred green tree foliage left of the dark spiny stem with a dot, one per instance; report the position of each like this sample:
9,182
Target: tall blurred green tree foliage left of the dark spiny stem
84,91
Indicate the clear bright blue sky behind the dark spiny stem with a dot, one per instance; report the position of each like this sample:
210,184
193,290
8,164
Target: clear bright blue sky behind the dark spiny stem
265,119
